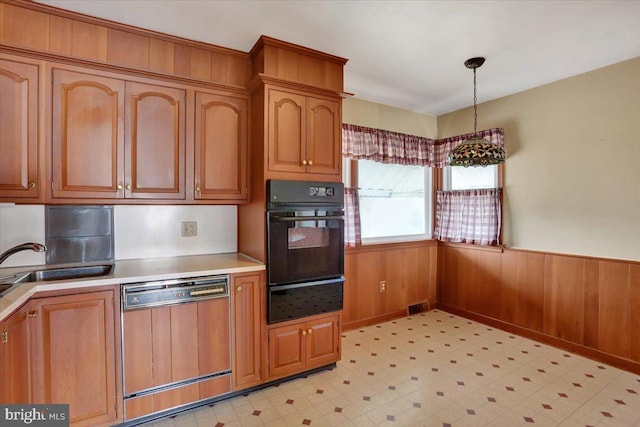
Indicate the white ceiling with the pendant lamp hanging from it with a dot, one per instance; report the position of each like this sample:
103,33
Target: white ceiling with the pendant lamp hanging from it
409,54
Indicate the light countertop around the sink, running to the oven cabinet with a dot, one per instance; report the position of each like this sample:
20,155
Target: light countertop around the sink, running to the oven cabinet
131,271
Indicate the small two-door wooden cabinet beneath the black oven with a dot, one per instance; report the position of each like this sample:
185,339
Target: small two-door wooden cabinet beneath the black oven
299,346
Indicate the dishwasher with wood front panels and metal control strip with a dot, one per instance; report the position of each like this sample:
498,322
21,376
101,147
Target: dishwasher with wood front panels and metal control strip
175,344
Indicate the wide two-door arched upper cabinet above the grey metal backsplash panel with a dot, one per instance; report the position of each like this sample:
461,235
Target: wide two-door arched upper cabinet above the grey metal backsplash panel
114,139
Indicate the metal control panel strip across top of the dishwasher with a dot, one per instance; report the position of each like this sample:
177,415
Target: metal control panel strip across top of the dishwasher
168,292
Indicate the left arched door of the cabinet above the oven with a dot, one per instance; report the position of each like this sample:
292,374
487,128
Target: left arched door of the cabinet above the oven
287,127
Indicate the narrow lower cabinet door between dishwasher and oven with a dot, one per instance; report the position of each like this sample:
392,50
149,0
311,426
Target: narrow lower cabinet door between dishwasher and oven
246,312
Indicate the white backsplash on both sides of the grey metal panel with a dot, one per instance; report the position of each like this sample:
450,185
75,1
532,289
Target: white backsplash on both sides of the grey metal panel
140,231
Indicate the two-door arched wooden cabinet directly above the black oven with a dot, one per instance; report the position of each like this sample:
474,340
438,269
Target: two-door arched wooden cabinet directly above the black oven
304,133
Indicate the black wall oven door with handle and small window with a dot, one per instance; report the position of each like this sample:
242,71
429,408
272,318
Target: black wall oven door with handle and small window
305,245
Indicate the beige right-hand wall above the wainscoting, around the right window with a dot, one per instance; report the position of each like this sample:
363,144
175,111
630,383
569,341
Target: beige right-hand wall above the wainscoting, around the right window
572,175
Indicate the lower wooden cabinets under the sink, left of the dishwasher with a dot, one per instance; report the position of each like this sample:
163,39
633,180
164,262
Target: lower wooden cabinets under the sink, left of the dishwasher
62,350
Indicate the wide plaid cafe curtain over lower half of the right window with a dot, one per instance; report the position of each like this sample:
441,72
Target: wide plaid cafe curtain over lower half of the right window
469,216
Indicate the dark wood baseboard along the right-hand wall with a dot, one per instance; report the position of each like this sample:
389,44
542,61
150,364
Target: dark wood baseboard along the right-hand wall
600,356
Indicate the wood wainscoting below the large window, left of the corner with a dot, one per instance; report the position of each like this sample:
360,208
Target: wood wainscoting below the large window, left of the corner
408,270
